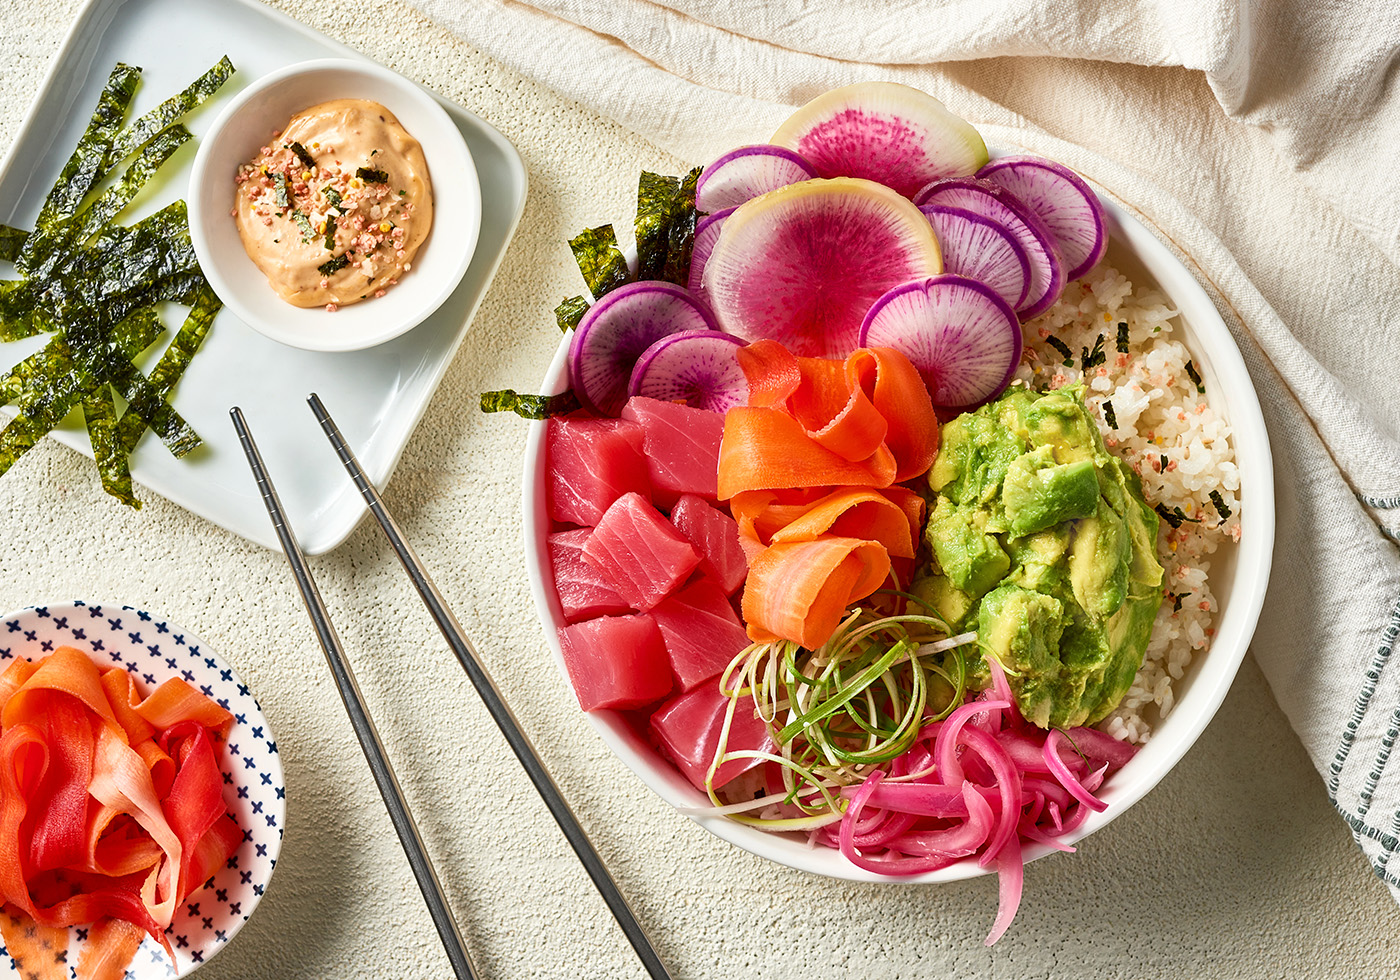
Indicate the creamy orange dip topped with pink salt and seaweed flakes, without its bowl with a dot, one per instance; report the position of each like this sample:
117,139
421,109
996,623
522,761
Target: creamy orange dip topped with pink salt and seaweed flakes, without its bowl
334,209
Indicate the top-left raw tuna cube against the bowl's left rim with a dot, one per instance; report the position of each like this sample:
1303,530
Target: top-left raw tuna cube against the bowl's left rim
593,463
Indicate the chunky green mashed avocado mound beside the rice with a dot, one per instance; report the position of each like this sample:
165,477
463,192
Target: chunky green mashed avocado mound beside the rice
1044,544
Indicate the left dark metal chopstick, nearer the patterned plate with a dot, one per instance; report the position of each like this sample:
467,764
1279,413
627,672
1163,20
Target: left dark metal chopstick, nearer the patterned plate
359,716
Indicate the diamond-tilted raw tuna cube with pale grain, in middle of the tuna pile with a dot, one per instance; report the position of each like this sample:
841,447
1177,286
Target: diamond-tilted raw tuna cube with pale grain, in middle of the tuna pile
639,552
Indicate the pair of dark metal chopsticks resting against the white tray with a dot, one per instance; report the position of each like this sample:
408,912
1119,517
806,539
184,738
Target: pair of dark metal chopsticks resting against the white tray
365,730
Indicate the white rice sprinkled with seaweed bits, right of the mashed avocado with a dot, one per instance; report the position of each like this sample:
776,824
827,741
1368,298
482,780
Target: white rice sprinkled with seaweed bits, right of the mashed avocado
1171,436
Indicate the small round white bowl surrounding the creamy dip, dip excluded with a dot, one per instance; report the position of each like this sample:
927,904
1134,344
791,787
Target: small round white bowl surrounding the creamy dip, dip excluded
236,138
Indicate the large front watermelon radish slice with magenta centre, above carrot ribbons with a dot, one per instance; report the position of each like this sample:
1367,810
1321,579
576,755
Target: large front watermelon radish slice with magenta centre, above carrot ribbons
803,264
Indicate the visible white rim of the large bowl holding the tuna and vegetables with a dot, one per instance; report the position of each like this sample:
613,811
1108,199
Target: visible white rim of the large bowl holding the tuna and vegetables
1240,577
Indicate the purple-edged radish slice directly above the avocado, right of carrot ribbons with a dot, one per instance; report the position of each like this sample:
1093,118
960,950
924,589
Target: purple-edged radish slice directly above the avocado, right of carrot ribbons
960,334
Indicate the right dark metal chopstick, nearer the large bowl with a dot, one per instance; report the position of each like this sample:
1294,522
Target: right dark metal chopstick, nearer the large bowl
495,703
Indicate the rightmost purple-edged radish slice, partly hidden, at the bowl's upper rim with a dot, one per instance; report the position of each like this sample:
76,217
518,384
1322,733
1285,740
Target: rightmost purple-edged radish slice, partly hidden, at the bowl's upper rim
1063,201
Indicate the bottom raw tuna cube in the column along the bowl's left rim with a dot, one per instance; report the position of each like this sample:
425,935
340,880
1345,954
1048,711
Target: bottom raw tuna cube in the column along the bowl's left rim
617,661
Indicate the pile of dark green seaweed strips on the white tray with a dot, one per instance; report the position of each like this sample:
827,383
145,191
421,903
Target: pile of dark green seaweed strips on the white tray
94,286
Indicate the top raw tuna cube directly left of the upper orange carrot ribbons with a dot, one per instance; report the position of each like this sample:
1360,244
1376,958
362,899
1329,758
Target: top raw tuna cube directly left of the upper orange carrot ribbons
682,447
